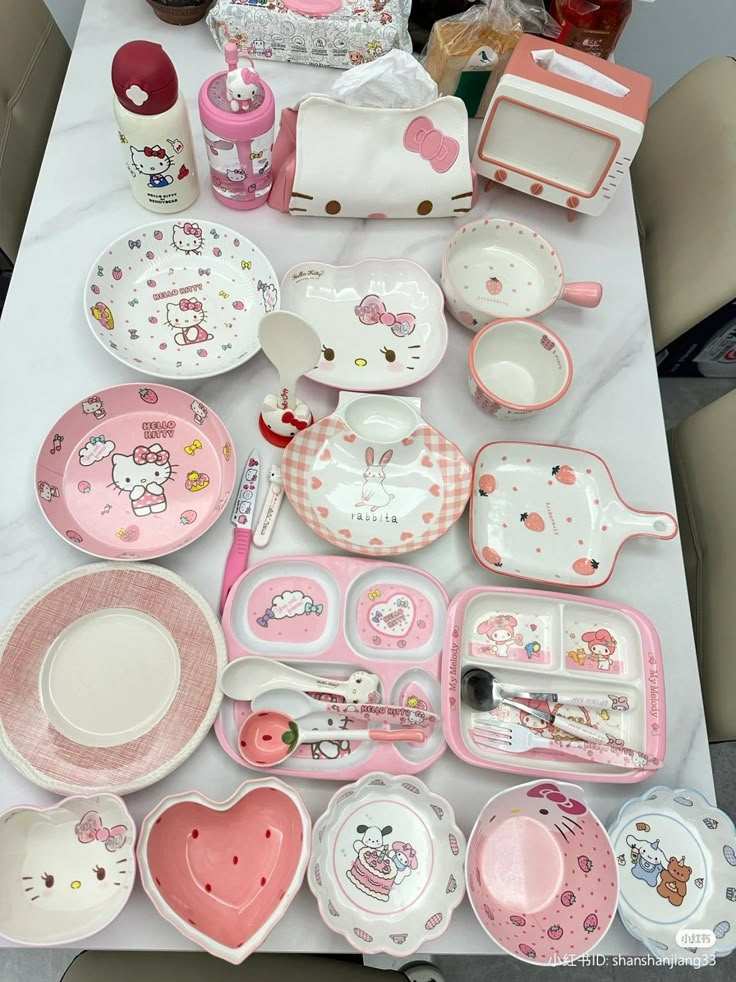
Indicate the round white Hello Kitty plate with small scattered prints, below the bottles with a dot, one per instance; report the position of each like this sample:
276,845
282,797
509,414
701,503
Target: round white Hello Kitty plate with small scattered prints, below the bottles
180,298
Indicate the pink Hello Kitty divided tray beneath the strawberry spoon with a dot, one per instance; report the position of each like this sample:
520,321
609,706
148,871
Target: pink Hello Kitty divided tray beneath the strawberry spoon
332,616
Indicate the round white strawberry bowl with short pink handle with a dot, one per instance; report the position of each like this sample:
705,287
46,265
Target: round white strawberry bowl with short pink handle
497,268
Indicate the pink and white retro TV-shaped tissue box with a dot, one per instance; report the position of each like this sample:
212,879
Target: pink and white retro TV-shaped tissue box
563,125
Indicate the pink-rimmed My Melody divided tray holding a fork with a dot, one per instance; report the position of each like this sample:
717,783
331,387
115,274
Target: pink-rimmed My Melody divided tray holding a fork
546,641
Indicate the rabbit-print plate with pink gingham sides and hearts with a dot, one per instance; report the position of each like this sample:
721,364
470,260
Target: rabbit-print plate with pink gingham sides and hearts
375,478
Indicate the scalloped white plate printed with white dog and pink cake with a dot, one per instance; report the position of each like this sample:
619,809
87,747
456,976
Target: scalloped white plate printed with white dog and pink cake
387,864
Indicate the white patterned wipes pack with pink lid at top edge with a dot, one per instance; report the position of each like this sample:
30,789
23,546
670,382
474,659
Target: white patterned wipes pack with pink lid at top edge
332,33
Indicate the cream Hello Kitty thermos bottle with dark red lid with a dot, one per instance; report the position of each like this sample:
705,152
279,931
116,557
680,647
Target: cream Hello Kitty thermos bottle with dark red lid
154,130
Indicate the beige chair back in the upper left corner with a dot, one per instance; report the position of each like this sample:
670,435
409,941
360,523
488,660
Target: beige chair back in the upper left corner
33,60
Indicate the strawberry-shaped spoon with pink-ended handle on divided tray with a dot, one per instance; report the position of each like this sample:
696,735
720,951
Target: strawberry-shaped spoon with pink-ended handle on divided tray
267,738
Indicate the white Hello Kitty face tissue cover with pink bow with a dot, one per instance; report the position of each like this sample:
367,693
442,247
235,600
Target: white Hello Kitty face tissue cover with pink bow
381,163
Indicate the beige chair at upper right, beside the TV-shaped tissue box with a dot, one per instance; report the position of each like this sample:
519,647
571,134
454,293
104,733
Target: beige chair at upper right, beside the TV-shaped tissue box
684,180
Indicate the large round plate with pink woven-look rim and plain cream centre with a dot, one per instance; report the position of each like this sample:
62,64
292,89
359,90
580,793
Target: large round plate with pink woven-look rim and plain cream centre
108,679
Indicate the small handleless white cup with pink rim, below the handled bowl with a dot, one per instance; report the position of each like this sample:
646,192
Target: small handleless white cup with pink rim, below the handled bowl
517,367
